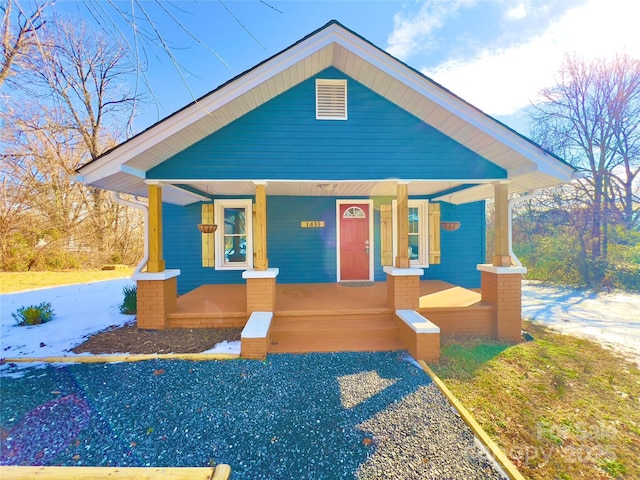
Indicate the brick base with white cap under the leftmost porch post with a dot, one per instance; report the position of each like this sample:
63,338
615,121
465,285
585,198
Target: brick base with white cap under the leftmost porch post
156,298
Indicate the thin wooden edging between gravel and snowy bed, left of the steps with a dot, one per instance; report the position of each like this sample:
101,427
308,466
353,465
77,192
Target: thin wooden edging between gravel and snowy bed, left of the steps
124,358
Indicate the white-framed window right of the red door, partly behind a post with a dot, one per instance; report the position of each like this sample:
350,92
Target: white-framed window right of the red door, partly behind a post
418,244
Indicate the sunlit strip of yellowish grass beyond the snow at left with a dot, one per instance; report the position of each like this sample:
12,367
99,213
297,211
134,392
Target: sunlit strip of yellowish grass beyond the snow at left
19,281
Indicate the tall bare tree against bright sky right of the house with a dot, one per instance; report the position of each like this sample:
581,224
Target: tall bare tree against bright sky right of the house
591,118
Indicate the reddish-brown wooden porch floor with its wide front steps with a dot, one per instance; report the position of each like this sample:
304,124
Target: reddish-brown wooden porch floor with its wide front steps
324,317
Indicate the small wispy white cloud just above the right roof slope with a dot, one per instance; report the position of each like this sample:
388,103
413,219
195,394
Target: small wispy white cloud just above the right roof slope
411,32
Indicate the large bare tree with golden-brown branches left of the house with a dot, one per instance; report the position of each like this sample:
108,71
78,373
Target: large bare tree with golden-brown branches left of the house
74,102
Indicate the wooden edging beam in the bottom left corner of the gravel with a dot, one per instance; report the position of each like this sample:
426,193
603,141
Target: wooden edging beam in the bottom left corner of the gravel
220,472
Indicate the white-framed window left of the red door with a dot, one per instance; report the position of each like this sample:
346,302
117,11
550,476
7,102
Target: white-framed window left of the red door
234,236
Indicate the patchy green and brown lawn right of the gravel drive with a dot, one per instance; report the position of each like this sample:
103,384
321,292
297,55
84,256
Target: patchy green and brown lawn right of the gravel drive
559,406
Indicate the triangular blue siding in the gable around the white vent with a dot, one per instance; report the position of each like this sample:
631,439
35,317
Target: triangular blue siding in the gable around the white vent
282,140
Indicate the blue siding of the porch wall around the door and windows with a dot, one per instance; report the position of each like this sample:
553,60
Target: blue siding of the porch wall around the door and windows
308,255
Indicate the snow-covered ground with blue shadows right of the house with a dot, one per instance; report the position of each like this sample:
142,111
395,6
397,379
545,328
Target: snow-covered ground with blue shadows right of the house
612,319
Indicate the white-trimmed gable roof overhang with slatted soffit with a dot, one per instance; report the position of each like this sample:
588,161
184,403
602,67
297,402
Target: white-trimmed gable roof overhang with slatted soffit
528,165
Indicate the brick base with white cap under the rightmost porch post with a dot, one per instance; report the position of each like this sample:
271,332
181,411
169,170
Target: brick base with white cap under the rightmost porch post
502,286
